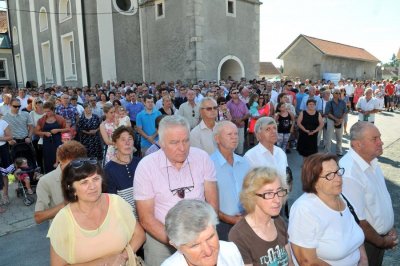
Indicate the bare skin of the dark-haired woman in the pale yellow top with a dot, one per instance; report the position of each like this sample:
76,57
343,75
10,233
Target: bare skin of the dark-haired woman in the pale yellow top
90,211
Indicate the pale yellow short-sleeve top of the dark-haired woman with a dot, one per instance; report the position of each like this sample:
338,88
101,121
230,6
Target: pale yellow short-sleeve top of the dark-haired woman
76,245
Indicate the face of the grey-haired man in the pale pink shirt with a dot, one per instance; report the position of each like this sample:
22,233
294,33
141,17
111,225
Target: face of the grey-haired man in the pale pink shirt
176,144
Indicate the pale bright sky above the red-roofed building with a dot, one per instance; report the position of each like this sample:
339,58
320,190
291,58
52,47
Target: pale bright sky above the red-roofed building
373,25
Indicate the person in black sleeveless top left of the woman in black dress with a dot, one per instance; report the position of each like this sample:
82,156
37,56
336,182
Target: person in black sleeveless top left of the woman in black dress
285,121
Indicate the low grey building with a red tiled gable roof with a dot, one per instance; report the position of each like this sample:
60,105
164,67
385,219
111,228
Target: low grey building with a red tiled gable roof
308,57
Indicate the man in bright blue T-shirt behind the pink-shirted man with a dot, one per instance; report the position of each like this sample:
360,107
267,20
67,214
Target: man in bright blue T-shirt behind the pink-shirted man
146,124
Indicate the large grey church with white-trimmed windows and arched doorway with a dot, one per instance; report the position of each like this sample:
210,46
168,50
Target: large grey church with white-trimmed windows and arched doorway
77,43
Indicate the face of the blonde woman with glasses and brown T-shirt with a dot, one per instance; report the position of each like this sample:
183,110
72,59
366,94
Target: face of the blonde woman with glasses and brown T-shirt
270,207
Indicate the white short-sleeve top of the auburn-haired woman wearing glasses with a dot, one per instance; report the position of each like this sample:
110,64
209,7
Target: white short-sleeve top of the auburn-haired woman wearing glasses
335,236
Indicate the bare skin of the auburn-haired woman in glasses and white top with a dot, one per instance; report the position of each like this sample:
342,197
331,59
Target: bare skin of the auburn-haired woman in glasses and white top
328,191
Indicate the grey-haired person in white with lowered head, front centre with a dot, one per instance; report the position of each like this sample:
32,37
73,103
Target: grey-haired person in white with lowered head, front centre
191,229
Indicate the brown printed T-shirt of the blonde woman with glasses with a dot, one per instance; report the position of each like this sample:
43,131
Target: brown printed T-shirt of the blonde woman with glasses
258,251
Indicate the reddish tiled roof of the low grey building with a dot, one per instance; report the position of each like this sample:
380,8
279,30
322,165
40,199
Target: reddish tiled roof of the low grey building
341,50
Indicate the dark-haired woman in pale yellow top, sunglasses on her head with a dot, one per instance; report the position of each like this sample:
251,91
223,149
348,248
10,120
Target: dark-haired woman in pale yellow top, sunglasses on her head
95,228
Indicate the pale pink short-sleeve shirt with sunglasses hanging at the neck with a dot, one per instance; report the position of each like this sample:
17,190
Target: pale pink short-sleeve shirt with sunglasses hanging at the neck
151,179
